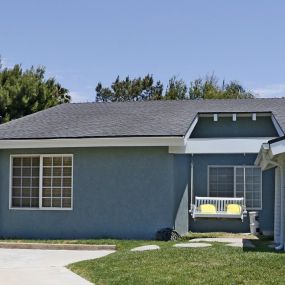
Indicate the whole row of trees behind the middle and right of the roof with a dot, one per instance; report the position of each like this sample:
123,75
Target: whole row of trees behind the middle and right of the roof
142,89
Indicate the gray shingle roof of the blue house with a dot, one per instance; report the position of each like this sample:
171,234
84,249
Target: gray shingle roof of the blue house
151,118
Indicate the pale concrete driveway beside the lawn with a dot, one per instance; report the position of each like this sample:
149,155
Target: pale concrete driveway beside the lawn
43,267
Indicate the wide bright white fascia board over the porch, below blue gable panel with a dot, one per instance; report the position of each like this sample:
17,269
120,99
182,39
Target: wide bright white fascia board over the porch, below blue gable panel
221,145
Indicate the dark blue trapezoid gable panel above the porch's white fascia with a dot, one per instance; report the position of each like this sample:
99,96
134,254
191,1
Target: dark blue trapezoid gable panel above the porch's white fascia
226,127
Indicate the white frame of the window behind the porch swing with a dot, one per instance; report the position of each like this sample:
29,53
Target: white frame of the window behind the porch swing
235,167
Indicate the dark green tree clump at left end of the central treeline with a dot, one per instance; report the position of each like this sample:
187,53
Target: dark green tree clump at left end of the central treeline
137,89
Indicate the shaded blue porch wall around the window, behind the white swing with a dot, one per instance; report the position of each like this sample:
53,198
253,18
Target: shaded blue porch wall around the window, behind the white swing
201,163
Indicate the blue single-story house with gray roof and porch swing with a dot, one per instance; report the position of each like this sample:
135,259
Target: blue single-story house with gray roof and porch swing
127,170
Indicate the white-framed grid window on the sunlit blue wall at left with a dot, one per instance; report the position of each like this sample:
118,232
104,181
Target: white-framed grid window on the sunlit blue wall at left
41,181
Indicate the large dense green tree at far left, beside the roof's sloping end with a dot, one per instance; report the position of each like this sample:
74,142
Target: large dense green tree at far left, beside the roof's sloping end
23,92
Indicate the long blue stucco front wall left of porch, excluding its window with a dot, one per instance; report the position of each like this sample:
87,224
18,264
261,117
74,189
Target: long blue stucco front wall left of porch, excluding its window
118,192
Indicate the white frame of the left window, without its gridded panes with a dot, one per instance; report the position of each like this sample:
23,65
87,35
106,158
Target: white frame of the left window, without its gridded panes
40,208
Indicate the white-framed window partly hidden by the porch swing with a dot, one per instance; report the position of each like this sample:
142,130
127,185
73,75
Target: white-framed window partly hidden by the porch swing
236,181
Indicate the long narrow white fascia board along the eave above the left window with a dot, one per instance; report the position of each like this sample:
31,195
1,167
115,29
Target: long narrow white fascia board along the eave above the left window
92,142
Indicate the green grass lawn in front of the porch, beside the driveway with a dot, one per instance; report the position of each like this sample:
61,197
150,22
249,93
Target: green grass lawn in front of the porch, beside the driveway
218,264
